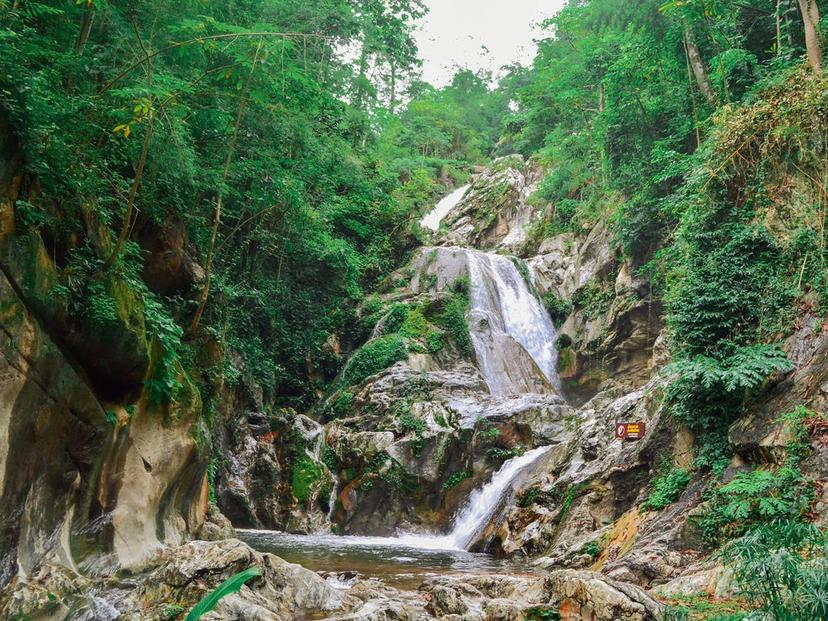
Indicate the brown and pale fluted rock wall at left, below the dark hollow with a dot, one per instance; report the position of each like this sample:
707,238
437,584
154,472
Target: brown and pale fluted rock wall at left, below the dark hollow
79,481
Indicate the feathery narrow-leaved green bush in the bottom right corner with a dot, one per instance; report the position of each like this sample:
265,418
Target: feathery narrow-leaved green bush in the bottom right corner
782,570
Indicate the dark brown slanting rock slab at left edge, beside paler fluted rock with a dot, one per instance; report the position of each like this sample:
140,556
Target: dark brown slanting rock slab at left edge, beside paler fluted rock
53,436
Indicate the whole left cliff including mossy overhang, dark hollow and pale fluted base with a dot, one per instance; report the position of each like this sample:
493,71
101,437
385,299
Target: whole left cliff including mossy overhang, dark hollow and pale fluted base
97,469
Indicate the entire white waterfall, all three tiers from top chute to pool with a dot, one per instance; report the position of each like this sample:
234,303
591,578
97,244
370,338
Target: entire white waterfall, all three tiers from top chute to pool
514,341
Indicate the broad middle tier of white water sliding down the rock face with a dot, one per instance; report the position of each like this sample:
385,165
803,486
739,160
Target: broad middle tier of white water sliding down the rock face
501,296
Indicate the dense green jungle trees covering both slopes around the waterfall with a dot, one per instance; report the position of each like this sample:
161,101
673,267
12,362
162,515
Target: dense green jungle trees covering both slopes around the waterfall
289,145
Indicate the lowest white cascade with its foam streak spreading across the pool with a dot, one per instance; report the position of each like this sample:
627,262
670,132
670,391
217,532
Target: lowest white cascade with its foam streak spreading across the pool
468,524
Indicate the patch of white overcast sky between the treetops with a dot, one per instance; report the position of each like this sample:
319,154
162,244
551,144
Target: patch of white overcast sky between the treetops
452,34
